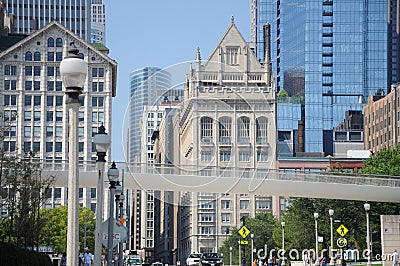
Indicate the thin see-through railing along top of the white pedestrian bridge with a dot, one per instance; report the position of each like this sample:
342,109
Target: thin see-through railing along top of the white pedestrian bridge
229,172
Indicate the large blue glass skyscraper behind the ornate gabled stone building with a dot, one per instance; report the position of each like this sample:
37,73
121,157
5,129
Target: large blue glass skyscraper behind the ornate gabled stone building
339,48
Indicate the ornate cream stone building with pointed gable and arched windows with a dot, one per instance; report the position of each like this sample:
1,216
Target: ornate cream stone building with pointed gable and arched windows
226,122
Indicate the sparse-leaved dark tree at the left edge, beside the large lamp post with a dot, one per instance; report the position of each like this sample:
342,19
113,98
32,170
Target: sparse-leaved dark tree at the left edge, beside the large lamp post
23,188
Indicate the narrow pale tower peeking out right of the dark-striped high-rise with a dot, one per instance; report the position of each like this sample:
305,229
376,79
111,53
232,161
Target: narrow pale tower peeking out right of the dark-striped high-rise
98,23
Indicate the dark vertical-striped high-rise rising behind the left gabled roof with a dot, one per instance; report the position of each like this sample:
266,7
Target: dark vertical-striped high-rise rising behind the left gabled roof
29,16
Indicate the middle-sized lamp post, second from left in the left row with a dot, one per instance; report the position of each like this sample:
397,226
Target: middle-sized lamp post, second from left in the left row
102,142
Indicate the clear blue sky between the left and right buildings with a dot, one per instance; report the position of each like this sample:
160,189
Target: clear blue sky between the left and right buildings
163,33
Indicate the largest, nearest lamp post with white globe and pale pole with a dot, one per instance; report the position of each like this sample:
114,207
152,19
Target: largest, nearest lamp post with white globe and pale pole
73,71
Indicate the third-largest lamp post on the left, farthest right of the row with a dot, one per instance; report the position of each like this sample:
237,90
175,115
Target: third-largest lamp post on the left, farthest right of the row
112,177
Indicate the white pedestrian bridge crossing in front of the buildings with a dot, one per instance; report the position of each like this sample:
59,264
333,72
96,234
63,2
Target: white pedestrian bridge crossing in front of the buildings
234,181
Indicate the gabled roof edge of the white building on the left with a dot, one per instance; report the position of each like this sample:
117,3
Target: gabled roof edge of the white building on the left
77,41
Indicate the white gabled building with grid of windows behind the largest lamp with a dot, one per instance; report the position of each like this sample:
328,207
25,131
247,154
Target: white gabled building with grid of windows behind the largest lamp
33,102
